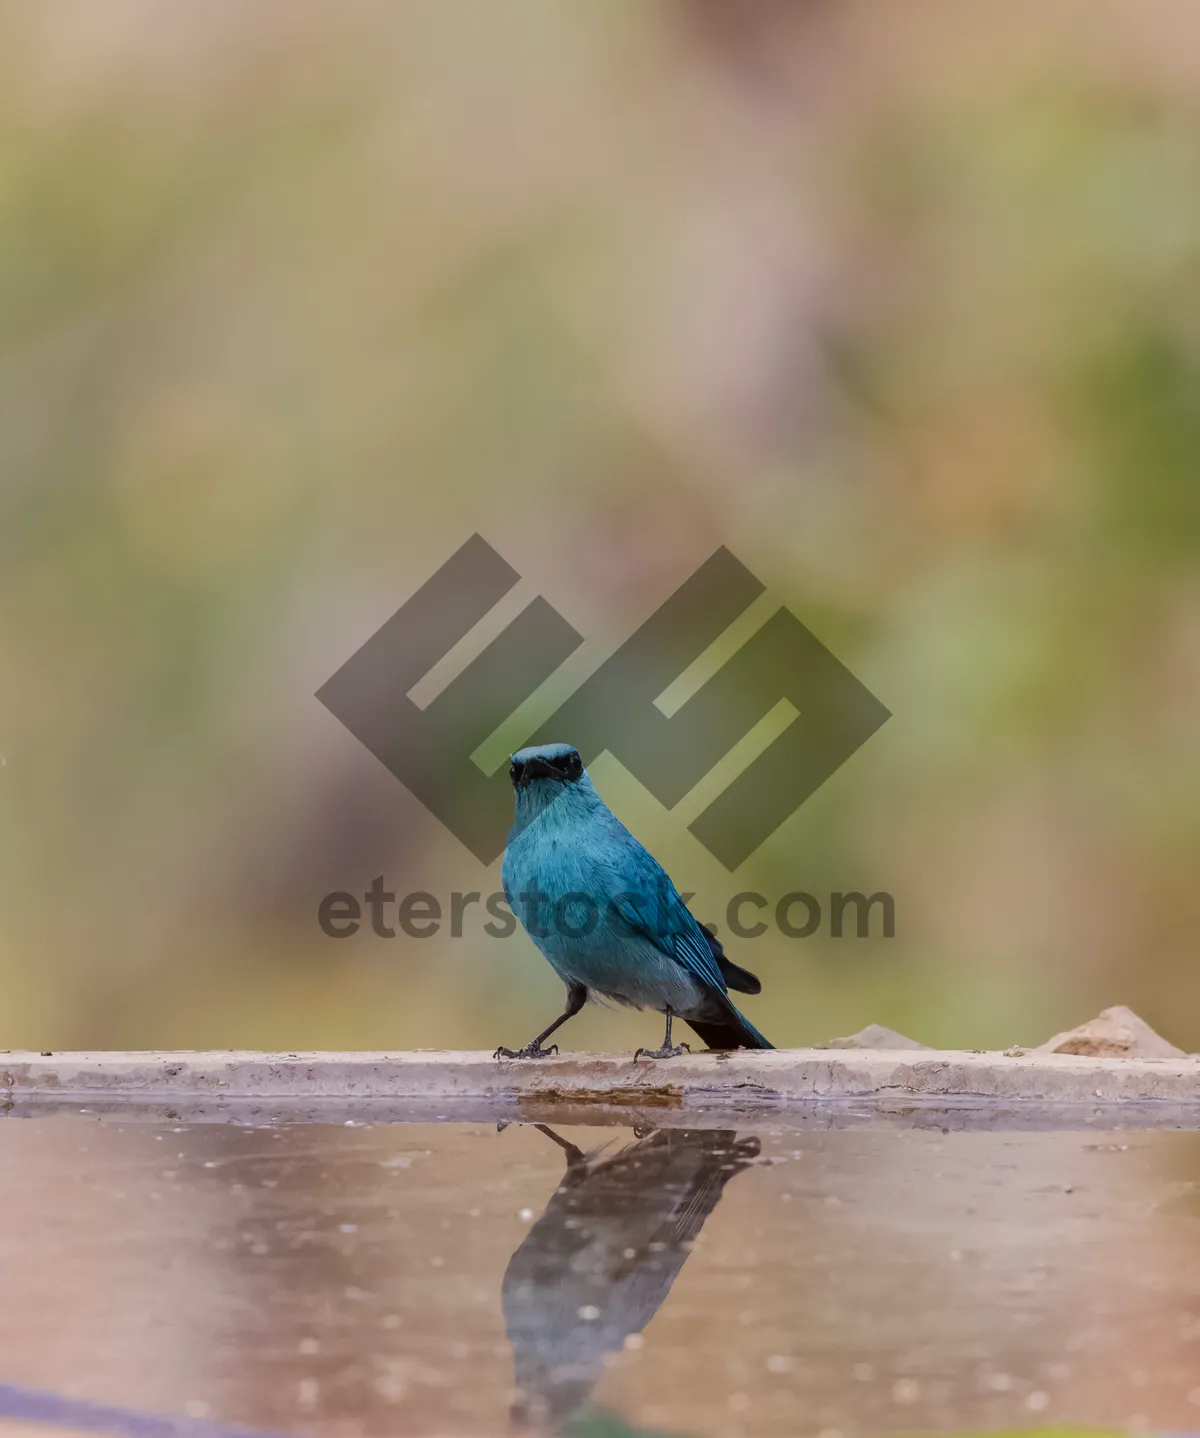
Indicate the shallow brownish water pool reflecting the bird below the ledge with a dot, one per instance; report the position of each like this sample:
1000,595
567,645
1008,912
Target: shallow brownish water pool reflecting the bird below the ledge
428,1279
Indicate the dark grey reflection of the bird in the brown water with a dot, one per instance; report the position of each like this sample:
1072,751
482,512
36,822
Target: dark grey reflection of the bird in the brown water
604,1256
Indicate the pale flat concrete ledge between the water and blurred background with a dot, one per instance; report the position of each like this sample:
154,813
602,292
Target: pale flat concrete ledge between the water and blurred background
742,1079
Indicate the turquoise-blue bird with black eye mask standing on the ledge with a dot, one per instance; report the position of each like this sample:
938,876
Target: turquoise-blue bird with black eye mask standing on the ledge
606,915
